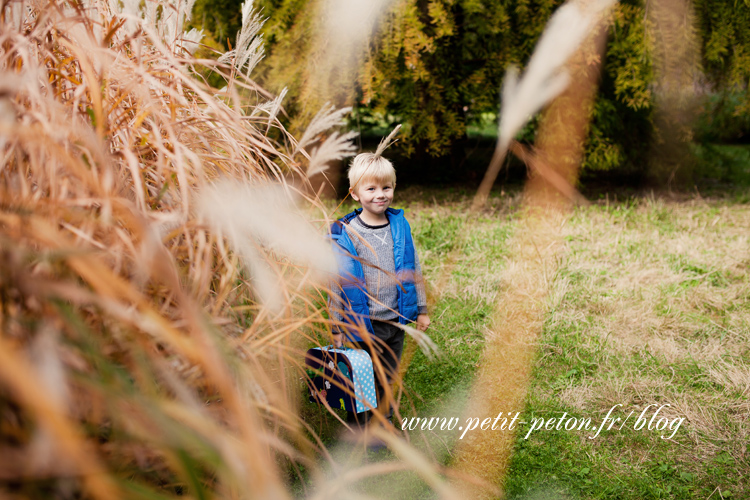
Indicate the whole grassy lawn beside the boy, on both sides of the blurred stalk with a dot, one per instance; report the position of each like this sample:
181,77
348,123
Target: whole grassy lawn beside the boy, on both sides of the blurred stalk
649,306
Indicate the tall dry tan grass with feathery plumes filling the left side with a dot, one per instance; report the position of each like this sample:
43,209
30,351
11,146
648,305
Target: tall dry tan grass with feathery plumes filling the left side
134,360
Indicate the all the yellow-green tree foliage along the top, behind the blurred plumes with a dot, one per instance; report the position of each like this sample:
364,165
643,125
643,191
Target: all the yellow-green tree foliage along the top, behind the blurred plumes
437,67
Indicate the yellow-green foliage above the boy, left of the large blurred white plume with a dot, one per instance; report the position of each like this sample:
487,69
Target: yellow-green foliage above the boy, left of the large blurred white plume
439,64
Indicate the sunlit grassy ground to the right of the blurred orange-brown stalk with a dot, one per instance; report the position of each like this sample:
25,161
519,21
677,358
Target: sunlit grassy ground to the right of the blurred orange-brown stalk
649,306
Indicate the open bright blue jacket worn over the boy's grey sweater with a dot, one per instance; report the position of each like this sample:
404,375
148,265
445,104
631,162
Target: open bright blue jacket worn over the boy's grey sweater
352,291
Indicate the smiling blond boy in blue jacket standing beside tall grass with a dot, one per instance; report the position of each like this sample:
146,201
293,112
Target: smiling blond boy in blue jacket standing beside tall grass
379,273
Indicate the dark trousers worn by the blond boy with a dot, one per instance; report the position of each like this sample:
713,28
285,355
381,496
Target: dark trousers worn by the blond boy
387,344
